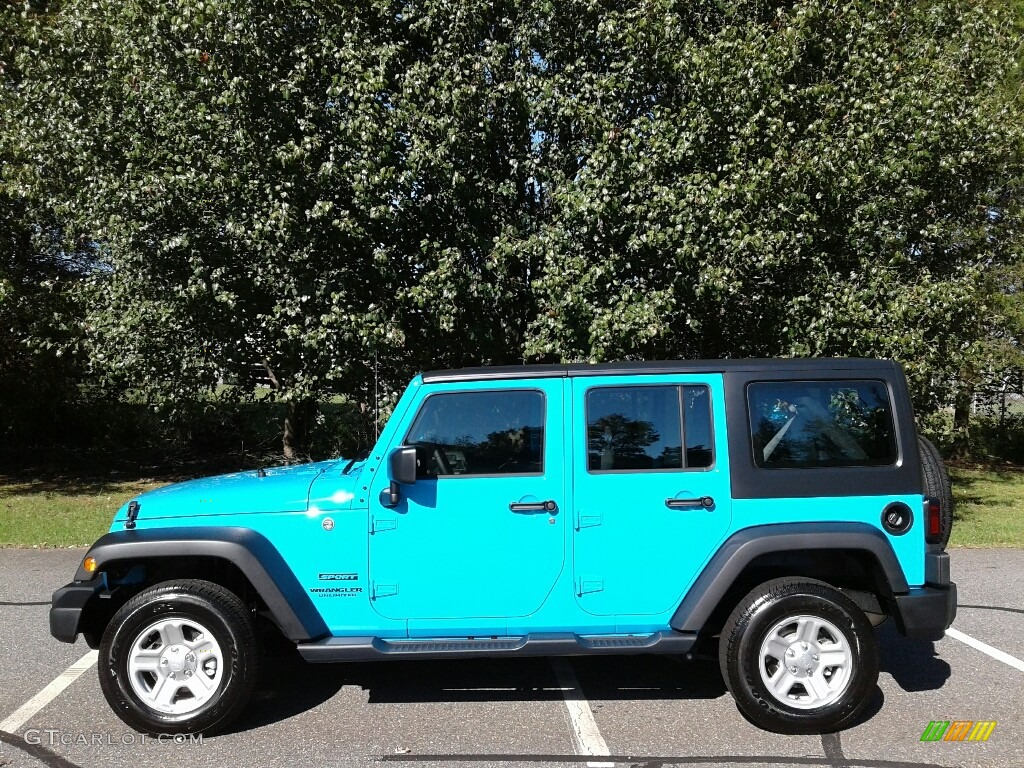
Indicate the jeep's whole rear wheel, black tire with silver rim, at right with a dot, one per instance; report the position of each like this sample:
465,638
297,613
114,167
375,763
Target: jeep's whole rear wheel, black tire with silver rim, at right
767,612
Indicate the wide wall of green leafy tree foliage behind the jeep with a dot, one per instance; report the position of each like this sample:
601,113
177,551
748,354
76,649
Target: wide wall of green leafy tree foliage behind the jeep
332,193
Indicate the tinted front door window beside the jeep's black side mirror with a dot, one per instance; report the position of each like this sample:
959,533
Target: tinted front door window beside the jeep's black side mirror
480,434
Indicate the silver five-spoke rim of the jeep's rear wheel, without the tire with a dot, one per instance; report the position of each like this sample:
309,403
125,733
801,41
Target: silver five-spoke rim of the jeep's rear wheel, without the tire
806,663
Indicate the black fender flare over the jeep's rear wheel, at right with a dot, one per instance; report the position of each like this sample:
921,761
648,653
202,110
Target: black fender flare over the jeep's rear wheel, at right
743,547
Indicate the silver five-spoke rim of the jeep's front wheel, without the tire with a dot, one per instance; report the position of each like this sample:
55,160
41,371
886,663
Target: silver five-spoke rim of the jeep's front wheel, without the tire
176,666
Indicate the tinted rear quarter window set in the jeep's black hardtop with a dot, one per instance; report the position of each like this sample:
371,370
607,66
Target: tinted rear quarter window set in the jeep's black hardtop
803,424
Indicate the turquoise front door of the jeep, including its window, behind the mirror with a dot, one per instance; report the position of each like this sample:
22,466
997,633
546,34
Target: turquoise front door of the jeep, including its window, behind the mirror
481,534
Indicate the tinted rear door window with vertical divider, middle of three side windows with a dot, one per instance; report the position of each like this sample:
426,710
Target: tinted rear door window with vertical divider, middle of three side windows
642,429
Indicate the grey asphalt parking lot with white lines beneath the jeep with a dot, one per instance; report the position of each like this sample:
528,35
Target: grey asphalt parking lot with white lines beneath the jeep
649,711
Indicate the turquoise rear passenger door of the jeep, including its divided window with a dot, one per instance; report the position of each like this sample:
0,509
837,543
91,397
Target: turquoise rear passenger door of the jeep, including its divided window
652,490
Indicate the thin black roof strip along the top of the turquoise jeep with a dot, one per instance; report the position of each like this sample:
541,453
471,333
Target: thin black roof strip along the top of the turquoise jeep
808,366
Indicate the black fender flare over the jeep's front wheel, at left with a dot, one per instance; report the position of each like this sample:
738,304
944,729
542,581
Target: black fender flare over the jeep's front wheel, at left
248,550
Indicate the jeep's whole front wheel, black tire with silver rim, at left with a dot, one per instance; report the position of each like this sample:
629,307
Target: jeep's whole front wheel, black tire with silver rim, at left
143,627
